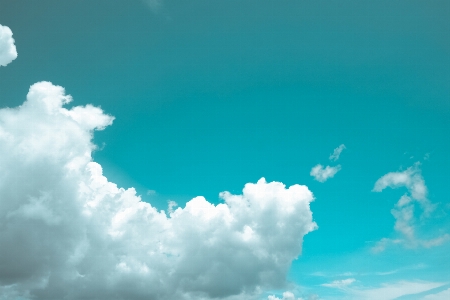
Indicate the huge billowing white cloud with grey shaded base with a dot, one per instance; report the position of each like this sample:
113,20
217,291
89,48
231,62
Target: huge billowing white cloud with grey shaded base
68,233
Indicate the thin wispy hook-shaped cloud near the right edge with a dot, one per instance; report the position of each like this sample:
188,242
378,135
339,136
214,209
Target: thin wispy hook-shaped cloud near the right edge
403,212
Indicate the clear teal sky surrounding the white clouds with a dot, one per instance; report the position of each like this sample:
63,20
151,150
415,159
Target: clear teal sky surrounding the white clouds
209,95
